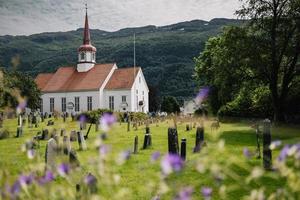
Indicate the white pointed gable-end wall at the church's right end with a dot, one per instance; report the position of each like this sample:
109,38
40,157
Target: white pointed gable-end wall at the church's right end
140,92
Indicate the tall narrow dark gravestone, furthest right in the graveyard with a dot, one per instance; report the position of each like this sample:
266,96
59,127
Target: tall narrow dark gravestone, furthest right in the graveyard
267,153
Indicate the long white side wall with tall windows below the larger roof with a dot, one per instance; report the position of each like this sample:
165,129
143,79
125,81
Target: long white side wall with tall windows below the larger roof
70,97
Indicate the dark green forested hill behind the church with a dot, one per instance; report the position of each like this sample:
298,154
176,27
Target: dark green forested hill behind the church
165,53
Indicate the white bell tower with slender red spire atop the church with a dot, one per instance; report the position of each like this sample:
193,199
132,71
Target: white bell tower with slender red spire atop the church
86,52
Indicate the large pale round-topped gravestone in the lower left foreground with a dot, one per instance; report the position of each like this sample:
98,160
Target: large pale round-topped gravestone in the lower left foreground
51,154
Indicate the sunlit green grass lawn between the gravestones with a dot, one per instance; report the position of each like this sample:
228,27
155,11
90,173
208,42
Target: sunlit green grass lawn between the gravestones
138,174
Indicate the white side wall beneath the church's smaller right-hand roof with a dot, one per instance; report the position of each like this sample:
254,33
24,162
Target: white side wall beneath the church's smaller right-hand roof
117,94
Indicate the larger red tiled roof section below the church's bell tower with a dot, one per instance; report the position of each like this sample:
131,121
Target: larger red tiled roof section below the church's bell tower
67,79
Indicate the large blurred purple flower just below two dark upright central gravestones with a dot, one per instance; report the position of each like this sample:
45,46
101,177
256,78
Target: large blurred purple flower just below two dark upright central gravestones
170,163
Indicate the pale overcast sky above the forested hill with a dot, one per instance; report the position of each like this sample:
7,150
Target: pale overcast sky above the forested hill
25,17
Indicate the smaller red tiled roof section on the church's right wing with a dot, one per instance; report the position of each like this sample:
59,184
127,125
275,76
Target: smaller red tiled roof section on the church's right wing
122,78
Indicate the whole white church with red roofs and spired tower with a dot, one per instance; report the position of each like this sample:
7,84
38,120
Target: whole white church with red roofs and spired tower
89,86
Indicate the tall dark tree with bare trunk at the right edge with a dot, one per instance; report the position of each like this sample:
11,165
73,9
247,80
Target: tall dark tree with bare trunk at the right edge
276,25
